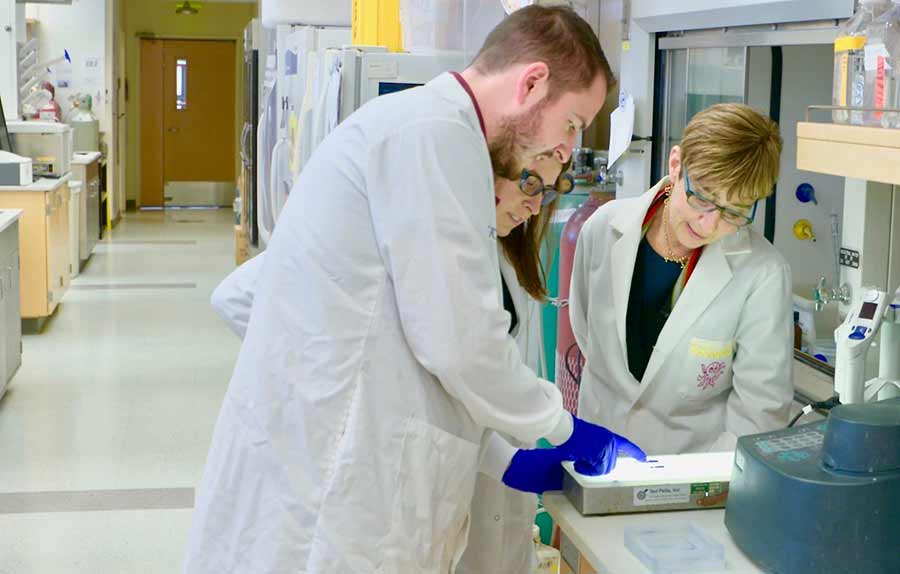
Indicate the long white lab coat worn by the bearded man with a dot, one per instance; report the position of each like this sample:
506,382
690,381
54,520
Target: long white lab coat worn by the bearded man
375,357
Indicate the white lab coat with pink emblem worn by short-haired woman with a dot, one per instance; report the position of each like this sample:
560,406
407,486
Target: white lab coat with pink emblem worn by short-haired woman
722,366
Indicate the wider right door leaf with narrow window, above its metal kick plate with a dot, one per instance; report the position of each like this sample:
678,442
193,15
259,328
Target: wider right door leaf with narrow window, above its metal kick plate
199,110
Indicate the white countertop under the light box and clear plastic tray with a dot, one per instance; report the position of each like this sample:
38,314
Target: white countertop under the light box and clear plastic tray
601,539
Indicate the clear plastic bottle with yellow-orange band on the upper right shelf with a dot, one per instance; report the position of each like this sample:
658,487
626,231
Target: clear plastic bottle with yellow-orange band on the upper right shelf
849,61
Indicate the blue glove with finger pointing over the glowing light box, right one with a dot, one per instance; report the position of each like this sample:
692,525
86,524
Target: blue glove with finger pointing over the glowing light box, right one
595,449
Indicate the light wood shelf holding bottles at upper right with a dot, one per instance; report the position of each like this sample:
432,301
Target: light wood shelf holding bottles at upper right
859,152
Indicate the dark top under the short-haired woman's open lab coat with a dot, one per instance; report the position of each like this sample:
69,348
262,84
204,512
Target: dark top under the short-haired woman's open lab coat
648,305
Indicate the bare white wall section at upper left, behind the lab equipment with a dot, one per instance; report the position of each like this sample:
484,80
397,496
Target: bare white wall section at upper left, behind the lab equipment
80,28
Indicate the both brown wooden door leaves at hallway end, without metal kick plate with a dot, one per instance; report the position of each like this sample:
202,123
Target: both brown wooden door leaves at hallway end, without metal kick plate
187,114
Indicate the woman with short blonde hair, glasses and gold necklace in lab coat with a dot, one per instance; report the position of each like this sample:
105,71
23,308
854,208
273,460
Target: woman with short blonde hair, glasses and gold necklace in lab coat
681,309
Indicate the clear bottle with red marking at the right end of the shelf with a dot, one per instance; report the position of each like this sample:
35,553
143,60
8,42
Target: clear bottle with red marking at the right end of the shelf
881,52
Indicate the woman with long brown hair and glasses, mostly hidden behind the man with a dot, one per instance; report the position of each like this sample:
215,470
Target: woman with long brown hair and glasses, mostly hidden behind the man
500,540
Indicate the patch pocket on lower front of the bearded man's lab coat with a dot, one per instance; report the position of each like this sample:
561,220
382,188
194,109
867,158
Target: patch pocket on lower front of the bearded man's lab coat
435,483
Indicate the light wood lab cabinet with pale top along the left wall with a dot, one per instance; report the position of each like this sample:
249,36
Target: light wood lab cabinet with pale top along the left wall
44,241
